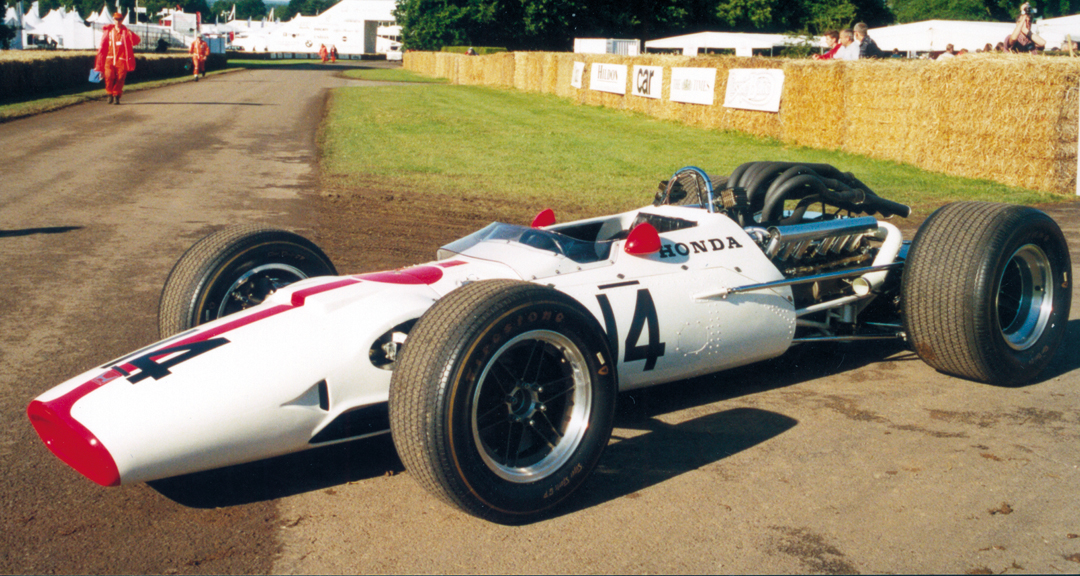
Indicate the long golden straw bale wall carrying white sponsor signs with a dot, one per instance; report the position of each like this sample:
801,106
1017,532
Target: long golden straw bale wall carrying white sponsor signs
1007,118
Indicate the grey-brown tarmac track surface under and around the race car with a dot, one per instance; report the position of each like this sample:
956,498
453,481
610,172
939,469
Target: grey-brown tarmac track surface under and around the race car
831,460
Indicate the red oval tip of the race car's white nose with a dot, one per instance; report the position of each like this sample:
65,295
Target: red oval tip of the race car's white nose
74,444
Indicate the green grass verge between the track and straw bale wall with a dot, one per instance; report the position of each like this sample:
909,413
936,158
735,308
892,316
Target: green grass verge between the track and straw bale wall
471,141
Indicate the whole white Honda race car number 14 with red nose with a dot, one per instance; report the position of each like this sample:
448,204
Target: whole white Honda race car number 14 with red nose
496,368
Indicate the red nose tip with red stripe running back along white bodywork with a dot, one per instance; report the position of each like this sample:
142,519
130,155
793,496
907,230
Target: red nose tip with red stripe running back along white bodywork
74,444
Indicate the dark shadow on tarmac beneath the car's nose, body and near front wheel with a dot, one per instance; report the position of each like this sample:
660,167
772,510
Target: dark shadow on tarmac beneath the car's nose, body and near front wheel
628,466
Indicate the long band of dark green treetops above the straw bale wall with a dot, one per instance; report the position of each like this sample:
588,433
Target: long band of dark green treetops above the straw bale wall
555,24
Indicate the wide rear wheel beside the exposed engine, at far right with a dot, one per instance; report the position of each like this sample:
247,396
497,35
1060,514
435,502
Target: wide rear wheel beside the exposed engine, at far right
987,292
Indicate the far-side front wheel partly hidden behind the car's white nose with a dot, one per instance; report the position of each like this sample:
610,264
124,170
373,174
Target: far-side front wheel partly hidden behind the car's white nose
234,270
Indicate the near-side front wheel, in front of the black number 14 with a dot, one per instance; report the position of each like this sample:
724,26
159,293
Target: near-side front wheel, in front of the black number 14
504,399
